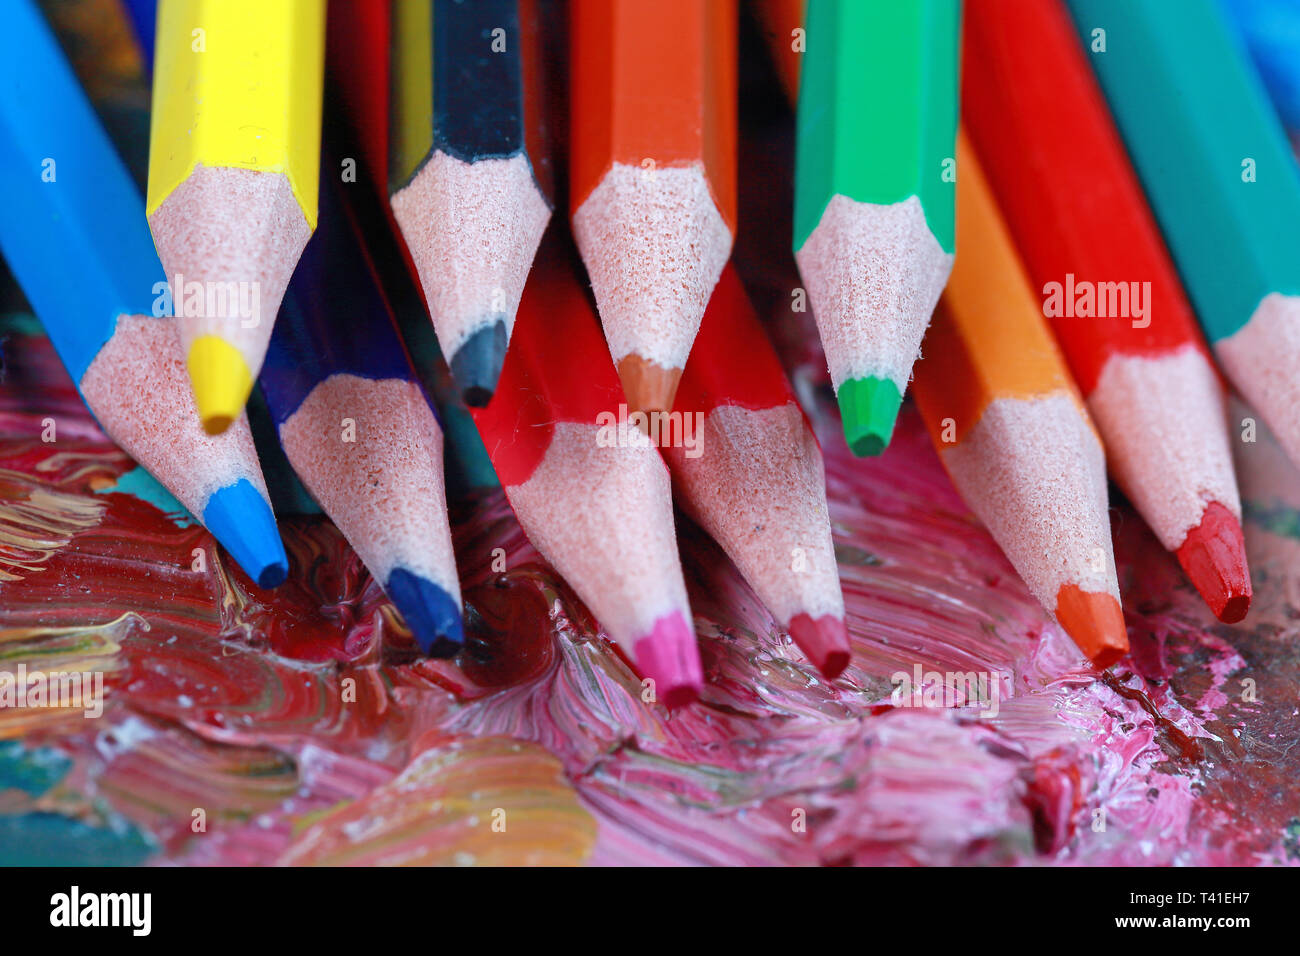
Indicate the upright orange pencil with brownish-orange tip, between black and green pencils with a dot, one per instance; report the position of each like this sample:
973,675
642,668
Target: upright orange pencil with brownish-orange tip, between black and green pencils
653,175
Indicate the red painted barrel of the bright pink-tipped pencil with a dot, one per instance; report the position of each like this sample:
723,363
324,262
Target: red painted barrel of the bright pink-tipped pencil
558,367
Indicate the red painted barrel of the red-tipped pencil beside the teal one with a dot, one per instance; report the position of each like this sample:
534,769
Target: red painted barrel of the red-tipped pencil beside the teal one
1063,179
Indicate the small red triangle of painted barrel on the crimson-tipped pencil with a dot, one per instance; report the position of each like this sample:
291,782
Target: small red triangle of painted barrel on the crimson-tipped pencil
733,362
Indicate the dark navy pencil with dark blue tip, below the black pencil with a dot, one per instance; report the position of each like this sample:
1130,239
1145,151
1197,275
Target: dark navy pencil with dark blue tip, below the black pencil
357,425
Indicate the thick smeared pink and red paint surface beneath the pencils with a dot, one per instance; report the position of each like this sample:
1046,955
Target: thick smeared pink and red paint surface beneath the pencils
298,717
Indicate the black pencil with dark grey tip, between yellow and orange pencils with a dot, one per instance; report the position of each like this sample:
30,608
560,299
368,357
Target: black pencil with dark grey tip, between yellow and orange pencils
470,176
